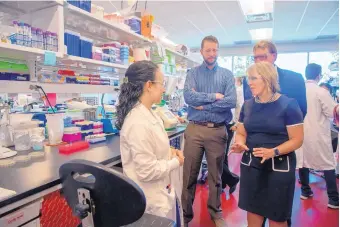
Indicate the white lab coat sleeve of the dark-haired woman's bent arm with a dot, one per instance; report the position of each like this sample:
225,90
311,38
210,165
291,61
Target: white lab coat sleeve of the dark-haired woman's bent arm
148,167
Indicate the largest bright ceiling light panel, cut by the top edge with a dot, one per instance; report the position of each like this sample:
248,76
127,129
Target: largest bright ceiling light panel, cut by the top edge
256,6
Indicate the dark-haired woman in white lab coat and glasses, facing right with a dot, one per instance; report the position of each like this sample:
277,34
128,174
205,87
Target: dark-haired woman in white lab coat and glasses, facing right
144,144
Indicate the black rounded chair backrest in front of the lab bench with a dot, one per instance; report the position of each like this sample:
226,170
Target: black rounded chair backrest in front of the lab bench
118,200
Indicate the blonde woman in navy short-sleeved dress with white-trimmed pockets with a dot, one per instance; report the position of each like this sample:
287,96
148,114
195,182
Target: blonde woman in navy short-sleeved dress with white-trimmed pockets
270,130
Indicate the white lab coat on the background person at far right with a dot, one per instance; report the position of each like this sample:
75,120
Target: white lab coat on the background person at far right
316,151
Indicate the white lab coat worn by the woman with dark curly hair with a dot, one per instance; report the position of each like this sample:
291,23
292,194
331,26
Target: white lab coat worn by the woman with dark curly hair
146,159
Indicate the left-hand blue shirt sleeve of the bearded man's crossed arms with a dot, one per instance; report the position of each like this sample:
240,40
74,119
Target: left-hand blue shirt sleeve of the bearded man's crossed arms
194,98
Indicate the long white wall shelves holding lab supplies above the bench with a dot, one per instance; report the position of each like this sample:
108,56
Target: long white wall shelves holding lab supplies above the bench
58,16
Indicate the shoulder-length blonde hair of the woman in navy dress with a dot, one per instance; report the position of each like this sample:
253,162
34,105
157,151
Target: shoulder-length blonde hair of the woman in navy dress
268,73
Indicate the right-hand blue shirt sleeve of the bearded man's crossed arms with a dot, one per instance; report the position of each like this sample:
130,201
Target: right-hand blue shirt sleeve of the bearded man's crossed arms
229,100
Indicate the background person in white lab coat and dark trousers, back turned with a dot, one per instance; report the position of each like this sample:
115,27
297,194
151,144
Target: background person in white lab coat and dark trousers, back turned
317,152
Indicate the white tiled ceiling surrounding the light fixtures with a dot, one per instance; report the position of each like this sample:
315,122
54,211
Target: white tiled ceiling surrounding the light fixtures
178,17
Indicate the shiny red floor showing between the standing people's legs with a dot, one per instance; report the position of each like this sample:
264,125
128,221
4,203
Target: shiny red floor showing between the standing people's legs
308,213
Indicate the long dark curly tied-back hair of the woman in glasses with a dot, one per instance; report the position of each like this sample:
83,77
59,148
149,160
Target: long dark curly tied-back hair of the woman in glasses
132,89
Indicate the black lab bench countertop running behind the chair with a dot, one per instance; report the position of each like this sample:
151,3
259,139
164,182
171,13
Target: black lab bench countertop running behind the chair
40,174
